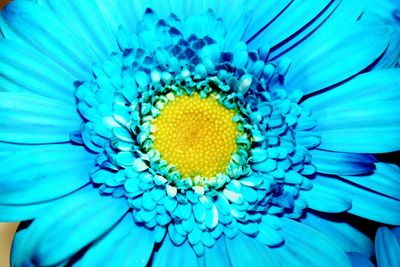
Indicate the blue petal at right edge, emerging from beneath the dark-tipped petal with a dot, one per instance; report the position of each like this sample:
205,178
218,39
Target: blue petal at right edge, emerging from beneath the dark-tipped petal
384,180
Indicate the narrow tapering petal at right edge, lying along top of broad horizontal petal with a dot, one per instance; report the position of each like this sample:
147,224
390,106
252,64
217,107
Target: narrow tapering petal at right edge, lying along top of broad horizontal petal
364,88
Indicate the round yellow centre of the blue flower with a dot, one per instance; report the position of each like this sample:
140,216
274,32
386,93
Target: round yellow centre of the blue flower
197,135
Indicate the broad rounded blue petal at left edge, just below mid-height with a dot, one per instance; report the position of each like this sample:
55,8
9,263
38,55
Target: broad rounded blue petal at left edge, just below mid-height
41,173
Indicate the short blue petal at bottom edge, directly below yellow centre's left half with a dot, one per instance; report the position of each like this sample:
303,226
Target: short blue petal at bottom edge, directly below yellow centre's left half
175,256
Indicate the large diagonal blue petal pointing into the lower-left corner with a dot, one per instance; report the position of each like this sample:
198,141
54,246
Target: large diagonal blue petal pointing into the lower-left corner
70,225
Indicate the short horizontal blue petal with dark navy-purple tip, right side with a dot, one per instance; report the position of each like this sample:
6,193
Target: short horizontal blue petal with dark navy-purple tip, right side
342,163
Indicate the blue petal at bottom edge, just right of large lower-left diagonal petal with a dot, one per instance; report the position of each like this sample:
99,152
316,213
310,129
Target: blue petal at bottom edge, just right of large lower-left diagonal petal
131,245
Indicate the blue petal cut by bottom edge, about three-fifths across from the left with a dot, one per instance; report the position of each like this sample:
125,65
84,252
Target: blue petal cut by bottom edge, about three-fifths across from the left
245,251
